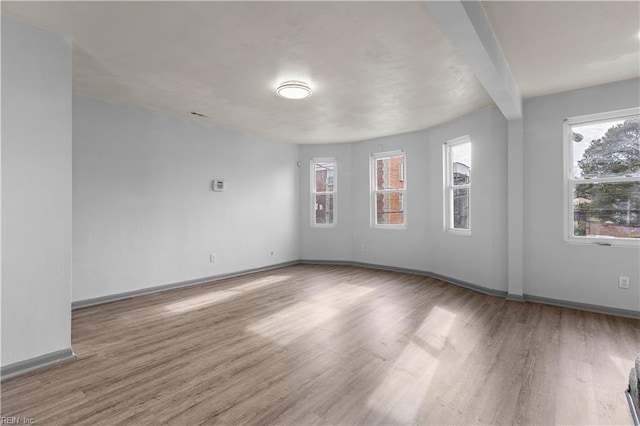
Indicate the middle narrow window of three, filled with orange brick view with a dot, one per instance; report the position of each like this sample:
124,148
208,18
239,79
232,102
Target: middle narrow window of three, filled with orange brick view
388,189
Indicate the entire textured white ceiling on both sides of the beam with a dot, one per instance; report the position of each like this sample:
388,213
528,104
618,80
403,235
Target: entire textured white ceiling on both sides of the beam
376,68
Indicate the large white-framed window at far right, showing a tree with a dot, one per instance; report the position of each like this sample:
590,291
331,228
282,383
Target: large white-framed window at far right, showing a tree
602,197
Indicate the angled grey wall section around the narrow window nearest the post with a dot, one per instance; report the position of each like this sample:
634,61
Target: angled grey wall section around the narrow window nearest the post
481,258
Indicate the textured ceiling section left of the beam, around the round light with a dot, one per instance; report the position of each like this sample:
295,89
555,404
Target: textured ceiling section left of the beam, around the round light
376,68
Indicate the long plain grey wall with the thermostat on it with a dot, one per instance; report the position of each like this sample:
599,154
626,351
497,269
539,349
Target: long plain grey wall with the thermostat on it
144,211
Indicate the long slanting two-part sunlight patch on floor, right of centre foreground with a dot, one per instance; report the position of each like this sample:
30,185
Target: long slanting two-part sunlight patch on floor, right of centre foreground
403,390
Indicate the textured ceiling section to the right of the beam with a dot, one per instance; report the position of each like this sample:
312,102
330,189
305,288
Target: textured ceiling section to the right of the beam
556,46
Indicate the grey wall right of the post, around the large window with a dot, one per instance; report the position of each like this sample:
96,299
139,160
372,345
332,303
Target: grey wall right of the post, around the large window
553,268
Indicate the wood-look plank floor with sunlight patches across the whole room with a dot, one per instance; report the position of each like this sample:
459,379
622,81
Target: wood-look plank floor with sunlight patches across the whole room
312,344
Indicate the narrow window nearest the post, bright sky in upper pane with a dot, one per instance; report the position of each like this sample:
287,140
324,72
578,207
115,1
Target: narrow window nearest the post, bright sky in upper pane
457,165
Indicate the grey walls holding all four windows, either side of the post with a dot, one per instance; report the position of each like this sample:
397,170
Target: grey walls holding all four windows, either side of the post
552,268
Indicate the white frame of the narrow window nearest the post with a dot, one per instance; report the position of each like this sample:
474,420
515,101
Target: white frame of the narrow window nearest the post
449,187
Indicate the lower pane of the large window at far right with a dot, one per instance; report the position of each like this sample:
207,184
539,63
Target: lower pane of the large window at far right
607,209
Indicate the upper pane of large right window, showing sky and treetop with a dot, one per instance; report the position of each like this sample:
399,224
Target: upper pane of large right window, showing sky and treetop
606,149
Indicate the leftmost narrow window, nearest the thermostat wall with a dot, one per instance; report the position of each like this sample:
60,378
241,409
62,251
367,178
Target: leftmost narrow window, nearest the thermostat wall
323,191
